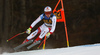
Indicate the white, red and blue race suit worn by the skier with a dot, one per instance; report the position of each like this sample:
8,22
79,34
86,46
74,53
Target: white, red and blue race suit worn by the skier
48,26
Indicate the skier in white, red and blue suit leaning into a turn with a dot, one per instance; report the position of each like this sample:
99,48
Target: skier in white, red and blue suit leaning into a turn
47,28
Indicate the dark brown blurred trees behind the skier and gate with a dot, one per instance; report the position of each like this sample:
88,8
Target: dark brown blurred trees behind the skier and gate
82,17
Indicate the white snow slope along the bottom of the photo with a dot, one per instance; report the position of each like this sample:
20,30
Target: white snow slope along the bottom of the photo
76,50
